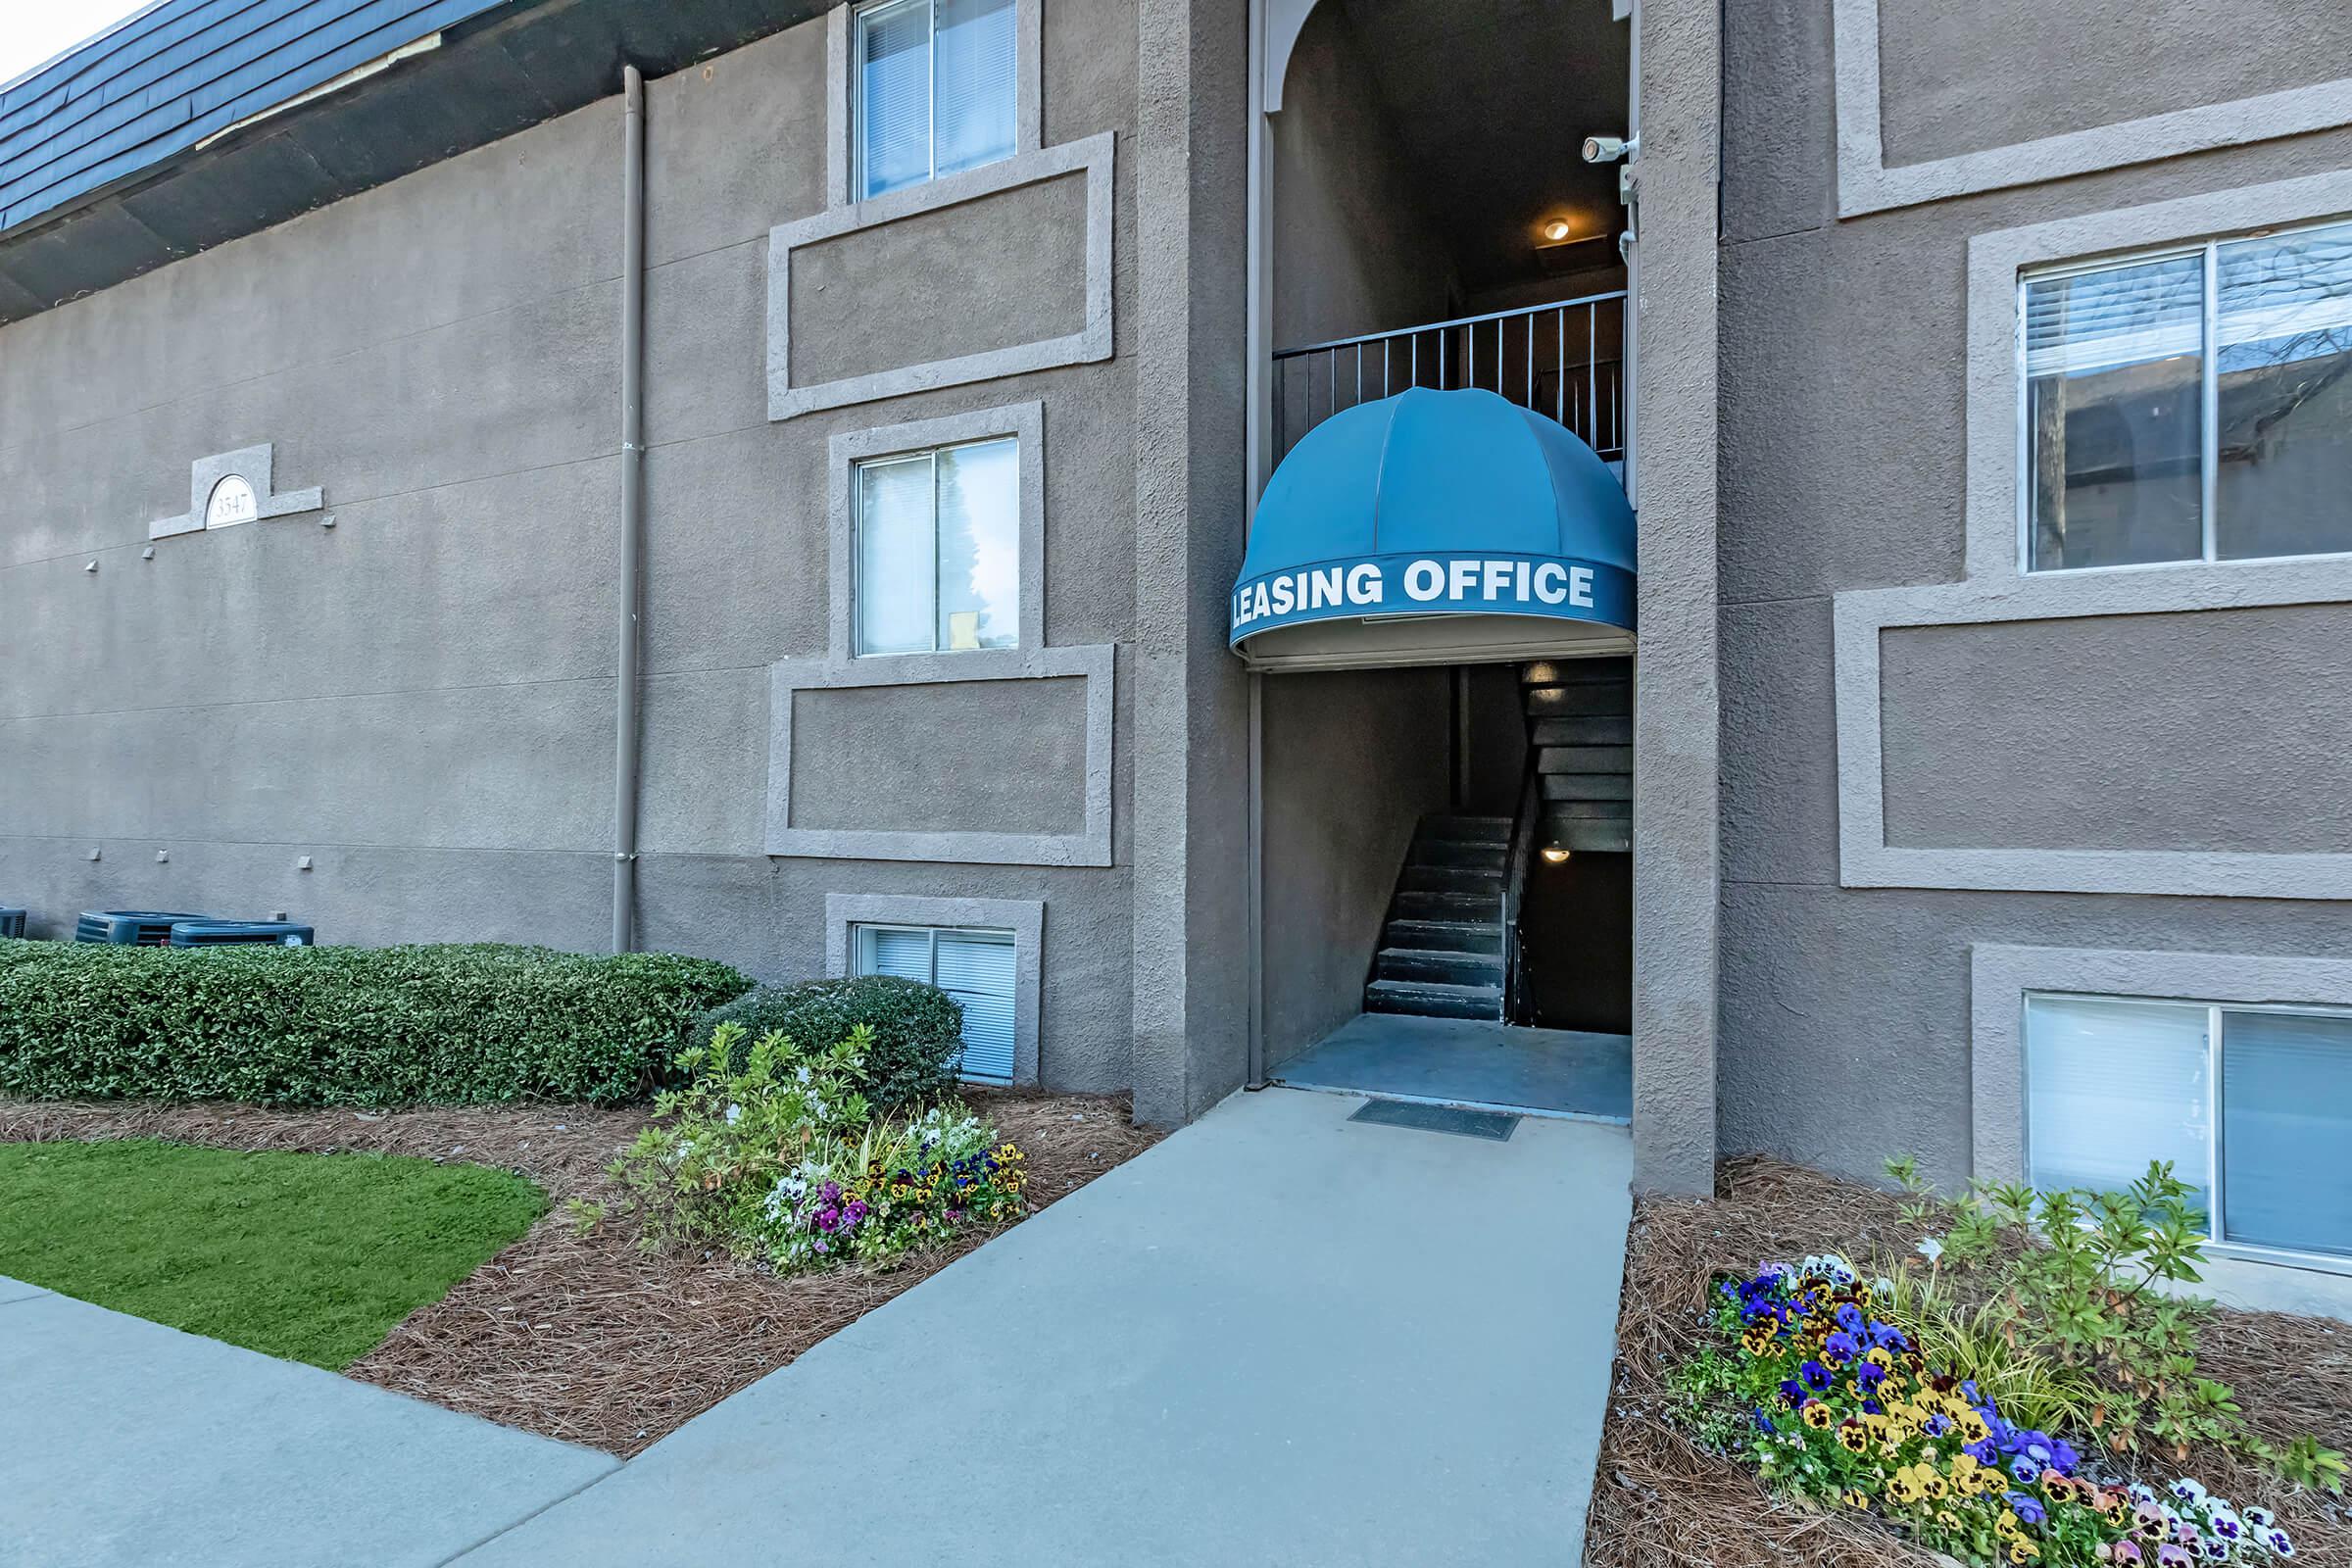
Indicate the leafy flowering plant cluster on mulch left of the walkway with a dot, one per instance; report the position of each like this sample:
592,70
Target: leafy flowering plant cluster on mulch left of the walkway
775,1153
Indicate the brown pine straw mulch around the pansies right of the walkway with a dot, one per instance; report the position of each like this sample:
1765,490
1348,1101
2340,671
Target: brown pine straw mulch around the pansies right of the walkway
1662,1503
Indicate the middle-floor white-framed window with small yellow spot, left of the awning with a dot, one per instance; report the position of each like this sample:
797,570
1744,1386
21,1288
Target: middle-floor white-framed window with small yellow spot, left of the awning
940,551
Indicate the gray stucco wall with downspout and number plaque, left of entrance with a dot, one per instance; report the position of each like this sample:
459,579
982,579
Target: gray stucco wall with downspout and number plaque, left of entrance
420,697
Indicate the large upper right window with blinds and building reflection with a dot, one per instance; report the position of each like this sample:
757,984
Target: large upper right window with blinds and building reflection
2193,406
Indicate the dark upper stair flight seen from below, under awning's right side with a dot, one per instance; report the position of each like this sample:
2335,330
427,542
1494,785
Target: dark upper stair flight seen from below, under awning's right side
1579,723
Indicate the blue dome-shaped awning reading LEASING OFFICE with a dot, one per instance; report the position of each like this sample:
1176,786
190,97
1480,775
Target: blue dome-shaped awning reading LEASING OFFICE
1436,528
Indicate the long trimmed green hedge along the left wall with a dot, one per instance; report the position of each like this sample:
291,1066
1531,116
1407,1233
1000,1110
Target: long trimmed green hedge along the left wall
345,1026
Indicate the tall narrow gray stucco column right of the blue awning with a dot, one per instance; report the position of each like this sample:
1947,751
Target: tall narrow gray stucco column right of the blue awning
1676,850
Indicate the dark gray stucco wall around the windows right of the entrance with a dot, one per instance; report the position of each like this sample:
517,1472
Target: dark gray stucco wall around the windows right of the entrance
1845,467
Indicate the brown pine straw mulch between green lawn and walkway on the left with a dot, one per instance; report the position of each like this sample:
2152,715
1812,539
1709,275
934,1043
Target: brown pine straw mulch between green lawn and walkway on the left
589,1339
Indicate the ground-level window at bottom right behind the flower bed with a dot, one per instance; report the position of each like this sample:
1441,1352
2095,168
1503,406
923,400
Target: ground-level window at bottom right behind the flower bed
2252,1106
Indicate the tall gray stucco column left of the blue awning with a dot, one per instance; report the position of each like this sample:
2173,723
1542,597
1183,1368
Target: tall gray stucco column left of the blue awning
1189,824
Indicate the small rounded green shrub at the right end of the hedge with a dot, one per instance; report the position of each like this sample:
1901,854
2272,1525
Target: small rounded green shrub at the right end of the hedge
918,1028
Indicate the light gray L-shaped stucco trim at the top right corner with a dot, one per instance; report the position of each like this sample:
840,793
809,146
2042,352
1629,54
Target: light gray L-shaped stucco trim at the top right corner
1869,185
